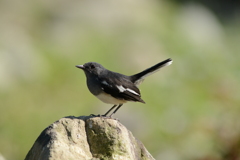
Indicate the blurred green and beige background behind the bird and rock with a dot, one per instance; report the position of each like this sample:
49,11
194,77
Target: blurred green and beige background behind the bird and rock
192,109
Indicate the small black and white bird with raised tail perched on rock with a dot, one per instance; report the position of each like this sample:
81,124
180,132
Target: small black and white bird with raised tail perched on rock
115,88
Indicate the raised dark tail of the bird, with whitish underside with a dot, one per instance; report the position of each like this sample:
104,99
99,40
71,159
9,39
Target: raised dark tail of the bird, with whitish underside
139,77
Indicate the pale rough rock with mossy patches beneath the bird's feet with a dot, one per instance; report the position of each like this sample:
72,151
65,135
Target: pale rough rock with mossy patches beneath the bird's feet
87,137
